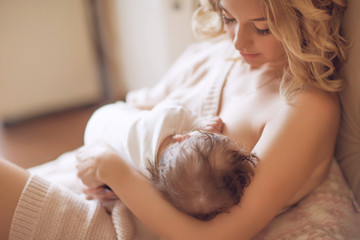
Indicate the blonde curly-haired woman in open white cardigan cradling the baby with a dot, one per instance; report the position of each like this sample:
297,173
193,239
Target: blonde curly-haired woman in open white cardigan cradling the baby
277,99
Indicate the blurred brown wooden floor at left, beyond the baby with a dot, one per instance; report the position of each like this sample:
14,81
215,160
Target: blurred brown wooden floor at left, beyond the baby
42,139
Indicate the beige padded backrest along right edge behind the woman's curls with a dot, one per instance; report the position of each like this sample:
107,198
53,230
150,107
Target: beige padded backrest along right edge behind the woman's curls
348,144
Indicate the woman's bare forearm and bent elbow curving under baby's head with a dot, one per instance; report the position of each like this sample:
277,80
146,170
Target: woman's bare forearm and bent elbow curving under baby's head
139,195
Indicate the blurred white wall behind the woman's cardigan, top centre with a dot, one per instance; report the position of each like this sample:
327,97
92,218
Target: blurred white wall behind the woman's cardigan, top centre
152,34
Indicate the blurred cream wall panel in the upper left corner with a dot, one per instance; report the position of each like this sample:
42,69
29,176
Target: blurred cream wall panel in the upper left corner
47,60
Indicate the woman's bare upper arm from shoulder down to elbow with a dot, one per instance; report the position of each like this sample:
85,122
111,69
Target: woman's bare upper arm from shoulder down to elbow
299,139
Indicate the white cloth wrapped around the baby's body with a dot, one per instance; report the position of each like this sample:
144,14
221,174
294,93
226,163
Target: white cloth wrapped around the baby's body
137,134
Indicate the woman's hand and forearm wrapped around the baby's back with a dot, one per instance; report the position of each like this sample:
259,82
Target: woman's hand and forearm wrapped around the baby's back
99,164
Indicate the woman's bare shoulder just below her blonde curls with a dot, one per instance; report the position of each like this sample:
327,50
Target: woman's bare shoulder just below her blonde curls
312,115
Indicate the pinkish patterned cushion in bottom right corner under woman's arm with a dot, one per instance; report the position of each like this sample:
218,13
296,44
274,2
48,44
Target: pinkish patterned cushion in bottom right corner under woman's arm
328,212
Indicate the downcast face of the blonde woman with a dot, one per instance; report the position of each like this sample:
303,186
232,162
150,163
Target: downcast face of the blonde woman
245,22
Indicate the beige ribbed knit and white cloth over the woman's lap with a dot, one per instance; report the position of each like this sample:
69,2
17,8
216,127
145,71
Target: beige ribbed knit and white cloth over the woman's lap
53,206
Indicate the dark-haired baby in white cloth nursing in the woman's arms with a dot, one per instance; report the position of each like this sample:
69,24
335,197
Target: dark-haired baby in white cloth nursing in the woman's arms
199,170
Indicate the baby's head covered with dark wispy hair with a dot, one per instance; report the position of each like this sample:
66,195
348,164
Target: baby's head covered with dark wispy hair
203,175
